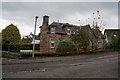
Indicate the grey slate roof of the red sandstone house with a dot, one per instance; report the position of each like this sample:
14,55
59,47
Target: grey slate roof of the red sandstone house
62,27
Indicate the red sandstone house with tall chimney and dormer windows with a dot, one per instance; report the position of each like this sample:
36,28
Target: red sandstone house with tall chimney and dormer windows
52,34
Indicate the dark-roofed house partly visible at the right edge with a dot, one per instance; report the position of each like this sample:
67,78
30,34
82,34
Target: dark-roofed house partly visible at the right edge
109,32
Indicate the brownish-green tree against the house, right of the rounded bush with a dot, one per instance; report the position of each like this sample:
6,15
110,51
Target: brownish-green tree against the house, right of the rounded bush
81,38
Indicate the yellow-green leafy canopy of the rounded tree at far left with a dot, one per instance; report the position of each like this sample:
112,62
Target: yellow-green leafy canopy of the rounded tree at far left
11,35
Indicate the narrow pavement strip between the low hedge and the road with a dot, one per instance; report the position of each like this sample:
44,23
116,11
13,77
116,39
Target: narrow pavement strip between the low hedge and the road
6,61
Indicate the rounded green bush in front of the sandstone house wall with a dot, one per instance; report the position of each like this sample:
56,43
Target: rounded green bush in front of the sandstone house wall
66,46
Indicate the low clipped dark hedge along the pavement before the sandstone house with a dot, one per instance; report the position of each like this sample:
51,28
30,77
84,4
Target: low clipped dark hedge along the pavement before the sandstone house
38,54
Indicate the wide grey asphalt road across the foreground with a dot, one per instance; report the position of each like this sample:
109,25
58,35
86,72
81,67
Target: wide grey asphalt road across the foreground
100,66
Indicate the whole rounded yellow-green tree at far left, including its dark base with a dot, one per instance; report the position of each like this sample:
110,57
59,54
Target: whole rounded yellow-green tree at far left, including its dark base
11,38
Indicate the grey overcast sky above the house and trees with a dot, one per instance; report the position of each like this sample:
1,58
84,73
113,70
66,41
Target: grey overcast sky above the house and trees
23,14
